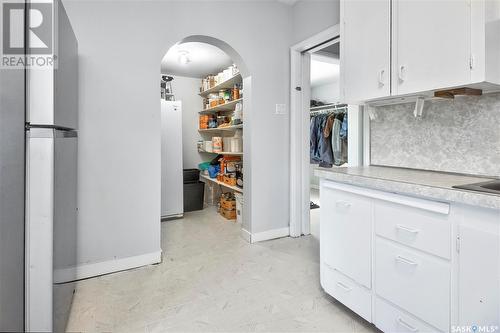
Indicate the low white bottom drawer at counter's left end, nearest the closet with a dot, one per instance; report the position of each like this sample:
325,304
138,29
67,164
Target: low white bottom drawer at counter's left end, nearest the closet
345,290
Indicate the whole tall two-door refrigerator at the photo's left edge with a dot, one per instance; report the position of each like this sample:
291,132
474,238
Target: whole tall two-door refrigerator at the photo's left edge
38,177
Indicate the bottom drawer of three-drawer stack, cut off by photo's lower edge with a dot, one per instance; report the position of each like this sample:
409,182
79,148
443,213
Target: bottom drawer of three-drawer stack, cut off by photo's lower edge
389,318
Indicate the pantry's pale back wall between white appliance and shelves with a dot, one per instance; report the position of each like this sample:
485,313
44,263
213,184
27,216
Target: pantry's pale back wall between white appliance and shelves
186,89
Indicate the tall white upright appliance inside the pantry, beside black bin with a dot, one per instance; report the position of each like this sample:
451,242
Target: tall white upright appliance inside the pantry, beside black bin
172,192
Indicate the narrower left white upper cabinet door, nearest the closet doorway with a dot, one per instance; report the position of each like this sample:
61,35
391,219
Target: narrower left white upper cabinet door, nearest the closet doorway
365,50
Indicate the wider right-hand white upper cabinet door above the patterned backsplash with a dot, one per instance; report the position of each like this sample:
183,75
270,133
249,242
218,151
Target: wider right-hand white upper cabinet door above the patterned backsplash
431,45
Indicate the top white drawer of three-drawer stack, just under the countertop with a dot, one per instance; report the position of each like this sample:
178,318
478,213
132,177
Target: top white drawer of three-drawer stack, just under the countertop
418,228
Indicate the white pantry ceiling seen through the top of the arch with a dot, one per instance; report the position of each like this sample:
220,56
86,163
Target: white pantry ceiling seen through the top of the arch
204,58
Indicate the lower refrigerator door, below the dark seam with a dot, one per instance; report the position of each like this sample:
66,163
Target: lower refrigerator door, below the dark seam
50,221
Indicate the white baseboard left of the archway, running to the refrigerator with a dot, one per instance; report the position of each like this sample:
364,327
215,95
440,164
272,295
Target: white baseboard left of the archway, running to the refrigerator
86,271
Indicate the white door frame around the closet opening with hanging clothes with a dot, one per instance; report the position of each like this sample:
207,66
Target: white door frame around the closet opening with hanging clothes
300,60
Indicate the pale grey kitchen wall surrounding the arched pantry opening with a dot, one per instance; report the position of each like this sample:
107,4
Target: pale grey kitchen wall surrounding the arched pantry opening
121,44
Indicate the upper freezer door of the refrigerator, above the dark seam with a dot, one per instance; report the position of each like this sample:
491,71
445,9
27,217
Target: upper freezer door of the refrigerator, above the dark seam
53,93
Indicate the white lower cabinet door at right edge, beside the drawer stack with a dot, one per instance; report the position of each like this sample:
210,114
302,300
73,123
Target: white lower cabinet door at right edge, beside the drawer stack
479,268
